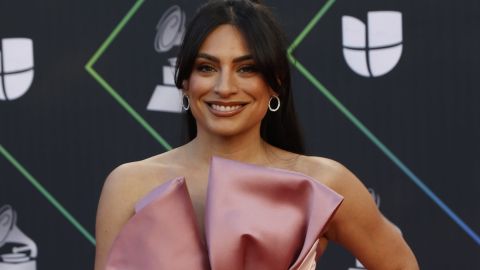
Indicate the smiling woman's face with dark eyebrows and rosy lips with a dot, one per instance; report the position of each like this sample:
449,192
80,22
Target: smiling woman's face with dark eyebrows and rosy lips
228,96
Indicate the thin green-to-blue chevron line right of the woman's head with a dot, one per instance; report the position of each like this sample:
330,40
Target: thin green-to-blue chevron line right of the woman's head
357,123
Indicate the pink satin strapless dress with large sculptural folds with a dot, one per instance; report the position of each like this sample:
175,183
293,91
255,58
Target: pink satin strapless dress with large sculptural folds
255,218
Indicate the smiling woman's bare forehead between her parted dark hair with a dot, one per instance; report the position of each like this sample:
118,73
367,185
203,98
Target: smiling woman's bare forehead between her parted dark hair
225,41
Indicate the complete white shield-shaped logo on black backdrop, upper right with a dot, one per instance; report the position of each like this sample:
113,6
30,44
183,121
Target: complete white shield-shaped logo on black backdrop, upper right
375,49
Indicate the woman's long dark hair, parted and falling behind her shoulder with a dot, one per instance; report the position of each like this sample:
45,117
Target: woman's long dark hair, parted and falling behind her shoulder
267,44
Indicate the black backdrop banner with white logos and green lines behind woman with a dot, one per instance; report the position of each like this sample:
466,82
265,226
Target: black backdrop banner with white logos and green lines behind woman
388,88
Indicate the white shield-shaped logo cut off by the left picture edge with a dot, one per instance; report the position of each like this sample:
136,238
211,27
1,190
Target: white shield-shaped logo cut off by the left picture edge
16,67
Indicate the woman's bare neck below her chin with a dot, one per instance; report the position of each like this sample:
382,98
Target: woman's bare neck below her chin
248,147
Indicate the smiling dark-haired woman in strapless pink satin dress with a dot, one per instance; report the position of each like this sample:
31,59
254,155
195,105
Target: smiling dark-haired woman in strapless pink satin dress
233,71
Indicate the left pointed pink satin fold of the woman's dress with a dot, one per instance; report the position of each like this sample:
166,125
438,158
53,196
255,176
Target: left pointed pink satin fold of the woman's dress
162,234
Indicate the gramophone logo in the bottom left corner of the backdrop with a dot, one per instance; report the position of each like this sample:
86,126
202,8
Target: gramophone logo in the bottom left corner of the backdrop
17,251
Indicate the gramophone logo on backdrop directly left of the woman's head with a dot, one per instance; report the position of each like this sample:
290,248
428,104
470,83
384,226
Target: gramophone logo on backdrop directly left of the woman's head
170,31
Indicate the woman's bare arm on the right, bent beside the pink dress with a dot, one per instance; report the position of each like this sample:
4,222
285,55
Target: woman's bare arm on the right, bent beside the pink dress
360,227
